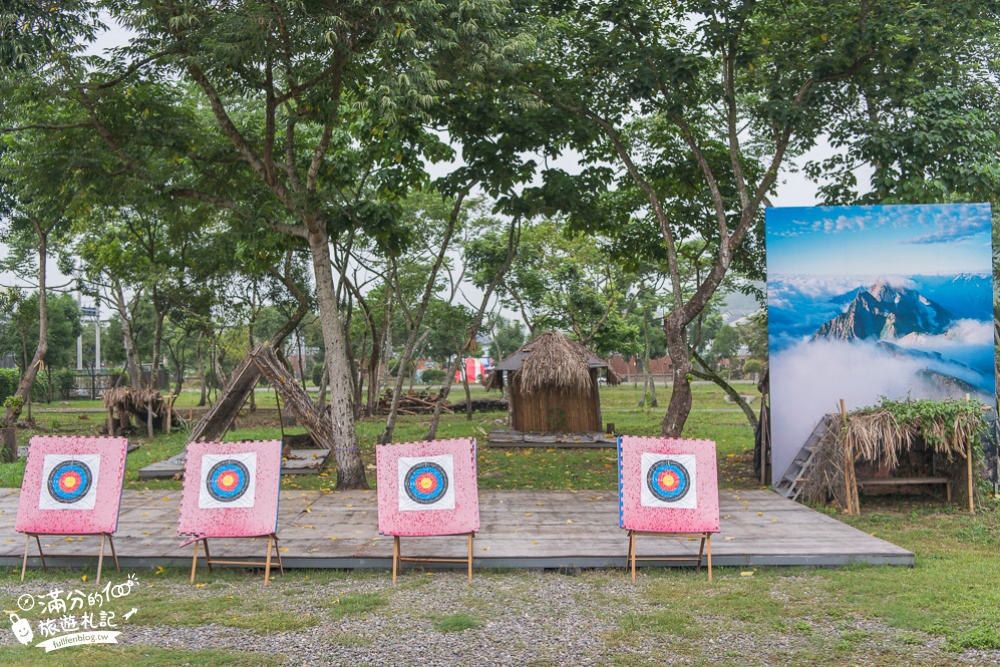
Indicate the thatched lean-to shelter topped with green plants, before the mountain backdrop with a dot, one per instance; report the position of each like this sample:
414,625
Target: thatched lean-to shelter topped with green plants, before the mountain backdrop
912,444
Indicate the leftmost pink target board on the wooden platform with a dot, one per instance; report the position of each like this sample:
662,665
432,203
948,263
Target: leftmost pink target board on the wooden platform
72,485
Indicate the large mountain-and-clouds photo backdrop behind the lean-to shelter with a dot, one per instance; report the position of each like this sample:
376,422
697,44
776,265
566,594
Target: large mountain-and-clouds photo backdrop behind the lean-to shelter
871,301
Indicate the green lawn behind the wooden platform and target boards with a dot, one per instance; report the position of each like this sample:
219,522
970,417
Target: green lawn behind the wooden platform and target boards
515,468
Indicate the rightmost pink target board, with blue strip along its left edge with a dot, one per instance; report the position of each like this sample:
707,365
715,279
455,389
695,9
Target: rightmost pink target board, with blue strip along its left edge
668,485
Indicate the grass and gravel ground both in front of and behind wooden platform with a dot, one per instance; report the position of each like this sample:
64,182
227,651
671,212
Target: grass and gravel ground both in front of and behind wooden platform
943,611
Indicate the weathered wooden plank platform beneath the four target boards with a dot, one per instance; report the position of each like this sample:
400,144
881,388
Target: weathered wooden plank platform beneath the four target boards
532,529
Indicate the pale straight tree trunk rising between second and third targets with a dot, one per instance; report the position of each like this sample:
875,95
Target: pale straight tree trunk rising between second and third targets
350,468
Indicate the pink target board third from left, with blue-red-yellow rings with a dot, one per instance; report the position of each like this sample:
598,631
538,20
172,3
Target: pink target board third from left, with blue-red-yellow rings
427,488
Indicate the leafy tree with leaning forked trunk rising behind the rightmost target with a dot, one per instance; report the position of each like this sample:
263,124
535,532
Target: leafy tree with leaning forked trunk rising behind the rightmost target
732,89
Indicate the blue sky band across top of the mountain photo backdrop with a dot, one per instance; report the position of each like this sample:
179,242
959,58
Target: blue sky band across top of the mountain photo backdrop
880,240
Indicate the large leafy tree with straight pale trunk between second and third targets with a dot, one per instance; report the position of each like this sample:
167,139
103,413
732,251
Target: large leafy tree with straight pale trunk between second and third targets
306,118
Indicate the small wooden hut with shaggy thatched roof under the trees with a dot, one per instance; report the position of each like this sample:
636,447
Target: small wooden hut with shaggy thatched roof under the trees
553,385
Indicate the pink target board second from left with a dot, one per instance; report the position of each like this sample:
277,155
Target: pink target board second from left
231,489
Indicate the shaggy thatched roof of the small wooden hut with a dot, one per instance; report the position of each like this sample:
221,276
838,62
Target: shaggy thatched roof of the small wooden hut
551,361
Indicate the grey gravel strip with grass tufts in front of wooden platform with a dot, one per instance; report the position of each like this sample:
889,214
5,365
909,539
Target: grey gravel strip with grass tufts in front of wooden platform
525,619
